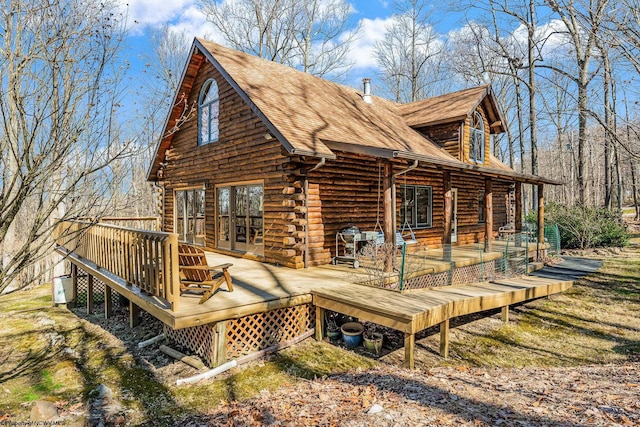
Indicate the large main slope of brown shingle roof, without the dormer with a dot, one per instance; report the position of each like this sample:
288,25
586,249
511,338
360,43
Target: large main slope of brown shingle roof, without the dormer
308,111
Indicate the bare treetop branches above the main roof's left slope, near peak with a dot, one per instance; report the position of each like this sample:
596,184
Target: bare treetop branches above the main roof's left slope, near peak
309,34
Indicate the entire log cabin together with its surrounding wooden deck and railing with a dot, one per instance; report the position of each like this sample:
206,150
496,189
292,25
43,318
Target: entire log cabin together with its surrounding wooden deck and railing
265,163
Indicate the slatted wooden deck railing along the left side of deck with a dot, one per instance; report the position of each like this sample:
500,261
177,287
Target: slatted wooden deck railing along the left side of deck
145,259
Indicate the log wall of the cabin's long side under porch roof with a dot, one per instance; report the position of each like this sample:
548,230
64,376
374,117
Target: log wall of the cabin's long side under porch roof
345,191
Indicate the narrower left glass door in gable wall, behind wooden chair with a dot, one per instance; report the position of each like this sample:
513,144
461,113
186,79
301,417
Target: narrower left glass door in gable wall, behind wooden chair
189,211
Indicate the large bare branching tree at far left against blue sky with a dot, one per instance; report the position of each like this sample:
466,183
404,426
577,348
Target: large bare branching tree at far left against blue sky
58,135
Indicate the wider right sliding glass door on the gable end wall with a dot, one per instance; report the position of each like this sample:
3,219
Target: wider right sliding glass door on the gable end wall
240,218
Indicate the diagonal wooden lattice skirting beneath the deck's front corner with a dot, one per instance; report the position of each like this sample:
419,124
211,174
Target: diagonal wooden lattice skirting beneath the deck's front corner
245,335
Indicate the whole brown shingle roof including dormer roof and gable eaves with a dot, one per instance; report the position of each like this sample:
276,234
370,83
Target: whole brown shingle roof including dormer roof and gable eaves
310,115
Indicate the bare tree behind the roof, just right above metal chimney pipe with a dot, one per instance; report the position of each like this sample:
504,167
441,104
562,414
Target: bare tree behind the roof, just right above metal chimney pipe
409,55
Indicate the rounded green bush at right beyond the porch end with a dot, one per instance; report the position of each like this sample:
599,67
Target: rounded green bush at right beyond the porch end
584,227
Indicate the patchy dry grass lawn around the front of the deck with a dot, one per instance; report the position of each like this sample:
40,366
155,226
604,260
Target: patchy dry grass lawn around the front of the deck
50,353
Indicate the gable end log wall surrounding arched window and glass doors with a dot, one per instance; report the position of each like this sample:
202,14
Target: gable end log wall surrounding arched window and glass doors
241,154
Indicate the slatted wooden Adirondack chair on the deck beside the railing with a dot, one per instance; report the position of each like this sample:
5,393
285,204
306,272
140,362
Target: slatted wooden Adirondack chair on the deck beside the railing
196,276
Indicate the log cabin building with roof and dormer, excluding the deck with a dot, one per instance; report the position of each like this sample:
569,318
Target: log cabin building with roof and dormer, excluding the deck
273,162
